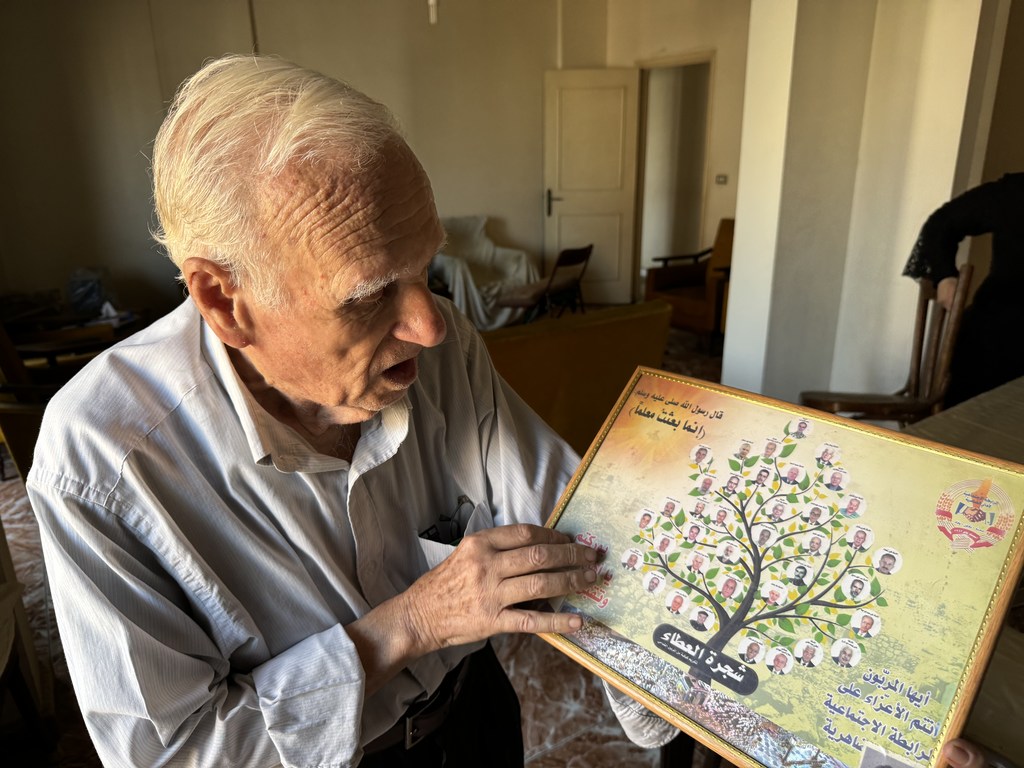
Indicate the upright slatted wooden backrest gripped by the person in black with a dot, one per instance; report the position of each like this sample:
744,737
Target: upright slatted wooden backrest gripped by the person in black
934,338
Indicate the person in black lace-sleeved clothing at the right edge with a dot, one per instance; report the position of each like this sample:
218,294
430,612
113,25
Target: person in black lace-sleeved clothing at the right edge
982,360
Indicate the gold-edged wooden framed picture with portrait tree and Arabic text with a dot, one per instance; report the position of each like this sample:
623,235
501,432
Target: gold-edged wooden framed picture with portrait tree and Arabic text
794,664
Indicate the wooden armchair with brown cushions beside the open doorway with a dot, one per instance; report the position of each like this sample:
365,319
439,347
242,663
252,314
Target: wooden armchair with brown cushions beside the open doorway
697,288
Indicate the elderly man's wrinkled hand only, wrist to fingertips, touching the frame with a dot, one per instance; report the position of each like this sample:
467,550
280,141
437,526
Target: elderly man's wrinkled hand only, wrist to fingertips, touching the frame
479,591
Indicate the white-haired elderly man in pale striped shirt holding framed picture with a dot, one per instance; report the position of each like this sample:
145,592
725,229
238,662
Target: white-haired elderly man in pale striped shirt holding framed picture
250,510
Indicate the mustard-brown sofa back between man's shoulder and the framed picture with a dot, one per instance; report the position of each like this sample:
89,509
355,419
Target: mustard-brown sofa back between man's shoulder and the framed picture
572,370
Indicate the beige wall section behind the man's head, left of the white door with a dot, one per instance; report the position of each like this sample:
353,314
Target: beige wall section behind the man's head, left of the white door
468,91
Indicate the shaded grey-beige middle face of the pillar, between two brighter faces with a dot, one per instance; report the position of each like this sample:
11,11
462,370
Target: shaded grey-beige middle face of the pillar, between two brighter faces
823,153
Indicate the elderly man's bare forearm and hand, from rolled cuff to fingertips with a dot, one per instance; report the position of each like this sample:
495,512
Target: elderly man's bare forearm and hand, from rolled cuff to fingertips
478,592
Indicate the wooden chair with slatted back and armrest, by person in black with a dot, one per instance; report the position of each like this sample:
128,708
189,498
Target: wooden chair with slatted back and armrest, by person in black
934,338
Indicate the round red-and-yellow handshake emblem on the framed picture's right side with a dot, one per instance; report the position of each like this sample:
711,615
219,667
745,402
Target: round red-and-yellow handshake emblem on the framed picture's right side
974,514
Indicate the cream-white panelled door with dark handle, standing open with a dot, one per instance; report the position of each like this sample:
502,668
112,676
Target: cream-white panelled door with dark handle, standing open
590,169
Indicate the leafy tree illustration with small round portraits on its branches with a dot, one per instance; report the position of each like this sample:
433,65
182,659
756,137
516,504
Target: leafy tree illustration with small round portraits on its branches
786,534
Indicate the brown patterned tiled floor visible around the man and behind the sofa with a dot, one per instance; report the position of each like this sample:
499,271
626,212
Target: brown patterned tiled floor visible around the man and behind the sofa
567,720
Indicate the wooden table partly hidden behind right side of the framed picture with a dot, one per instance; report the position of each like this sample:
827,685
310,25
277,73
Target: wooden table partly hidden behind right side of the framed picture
993,424
